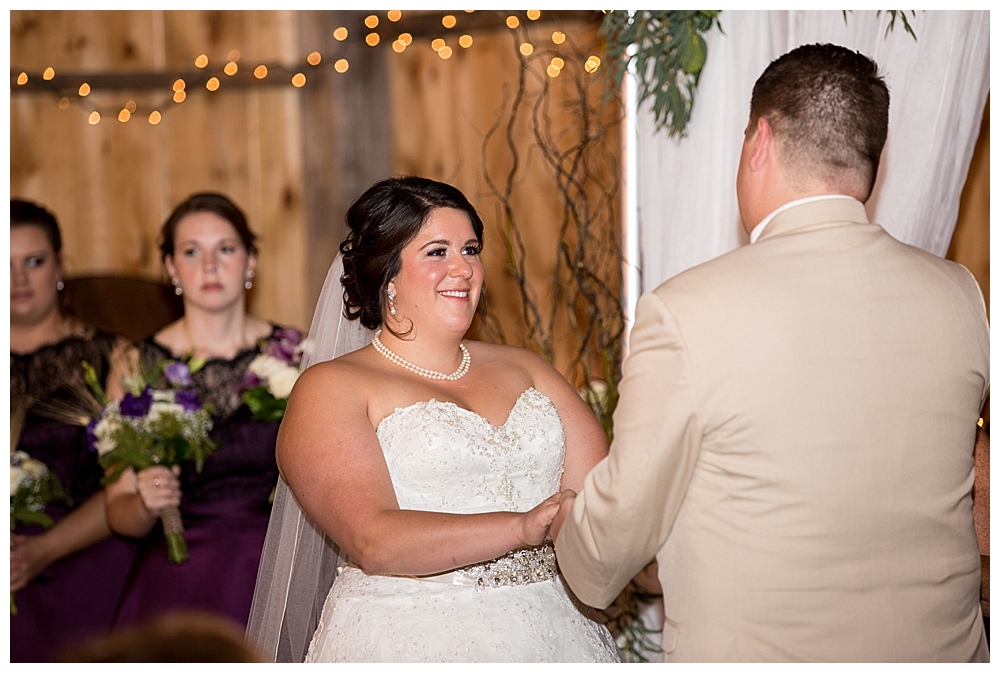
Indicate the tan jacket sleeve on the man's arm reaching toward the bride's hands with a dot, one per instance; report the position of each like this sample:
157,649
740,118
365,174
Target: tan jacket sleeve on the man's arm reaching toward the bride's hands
623,514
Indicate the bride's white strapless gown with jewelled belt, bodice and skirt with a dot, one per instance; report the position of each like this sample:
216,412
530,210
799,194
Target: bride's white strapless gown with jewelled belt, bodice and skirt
445,458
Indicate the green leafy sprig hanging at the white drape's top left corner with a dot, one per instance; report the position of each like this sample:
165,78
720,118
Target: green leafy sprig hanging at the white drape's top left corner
668,50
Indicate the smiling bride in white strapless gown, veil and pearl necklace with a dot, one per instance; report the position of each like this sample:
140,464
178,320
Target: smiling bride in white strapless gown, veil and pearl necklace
433,464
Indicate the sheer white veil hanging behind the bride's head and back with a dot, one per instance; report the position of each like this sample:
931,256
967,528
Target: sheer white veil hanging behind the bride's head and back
299,562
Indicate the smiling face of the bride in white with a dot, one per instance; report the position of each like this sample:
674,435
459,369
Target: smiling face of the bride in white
441,275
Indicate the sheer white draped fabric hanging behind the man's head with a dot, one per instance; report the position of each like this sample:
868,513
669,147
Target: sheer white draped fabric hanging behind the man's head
938,85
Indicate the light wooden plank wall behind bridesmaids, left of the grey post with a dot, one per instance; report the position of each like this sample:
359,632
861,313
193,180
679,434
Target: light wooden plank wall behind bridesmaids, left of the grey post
111,185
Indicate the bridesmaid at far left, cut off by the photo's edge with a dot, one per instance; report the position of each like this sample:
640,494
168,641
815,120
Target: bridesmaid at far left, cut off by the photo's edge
67,579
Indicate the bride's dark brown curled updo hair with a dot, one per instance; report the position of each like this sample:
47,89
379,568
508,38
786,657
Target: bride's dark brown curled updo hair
381,222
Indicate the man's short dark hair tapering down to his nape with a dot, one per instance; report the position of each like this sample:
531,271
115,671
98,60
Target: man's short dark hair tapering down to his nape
829,110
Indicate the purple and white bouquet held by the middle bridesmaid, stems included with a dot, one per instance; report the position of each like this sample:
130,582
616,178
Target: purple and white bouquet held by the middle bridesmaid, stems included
153,427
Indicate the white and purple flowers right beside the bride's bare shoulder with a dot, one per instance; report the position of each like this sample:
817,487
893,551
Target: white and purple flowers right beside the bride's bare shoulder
271,375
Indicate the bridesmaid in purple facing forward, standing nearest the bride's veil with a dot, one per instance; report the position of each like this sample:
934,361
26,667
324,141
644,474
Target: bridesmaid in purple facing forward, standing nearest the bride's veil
209,253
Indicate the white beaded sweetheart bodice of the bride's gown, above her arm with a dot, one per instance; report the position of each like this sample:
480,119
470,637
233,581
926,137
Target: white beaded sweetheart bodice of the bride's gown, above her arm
444,458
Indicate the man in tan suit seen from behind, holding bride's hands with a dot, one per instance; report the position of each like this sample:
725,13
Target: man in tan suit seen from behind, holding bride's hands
794,439
